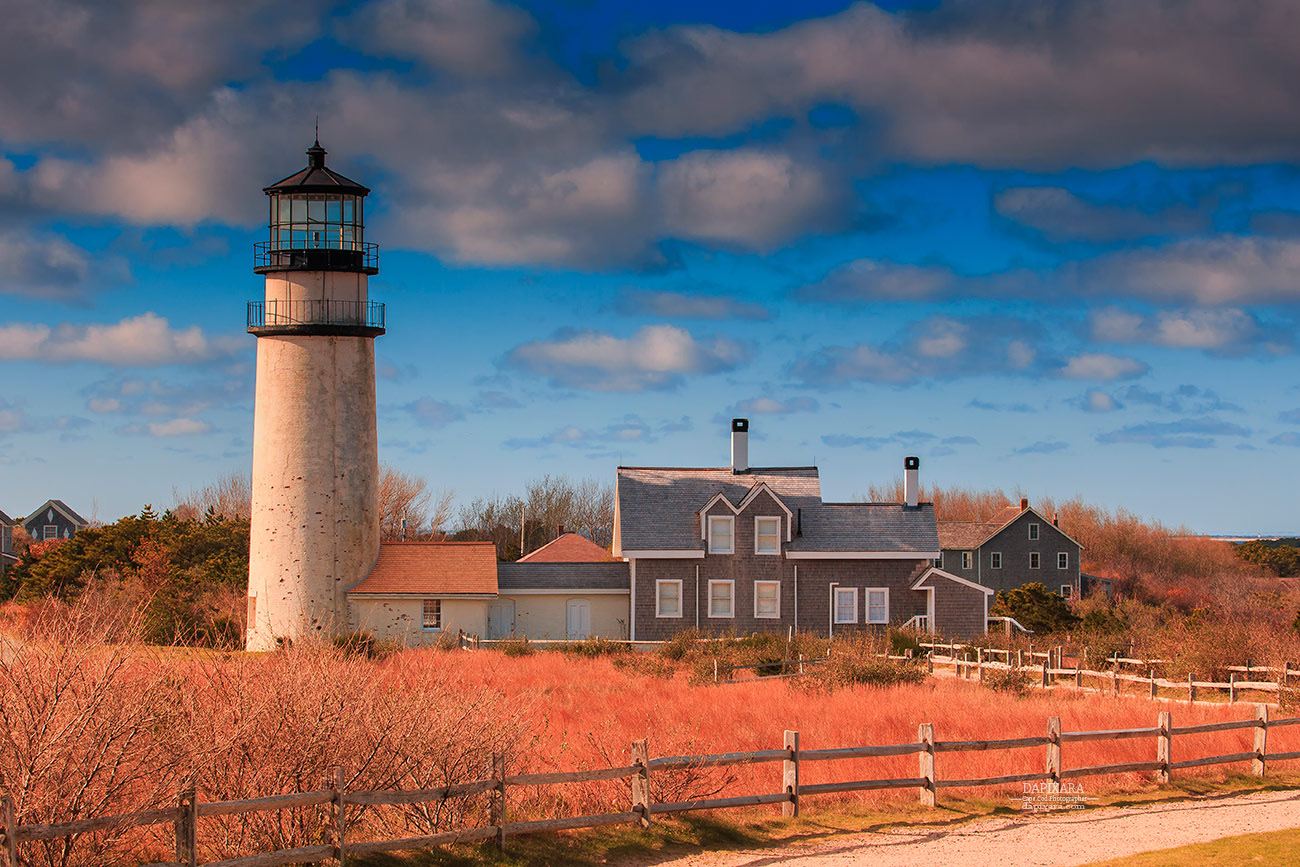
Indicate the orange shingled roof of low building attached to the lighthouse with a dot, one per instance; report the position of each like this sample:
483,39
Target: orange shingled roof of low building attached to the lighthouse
434,569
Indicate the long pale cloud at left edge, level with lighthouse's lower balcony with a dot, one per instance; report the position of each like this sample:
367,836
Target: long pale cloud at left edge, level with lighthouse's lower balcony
145,340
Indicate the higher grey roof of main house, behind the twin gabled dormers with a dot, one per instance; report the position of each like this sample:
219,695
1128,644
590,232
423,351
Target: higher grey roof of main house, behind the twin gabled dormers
658,506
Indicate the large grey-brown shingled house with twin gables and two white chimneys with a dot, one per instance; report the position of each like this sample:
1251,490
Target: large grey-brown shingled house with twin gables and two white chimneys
751,549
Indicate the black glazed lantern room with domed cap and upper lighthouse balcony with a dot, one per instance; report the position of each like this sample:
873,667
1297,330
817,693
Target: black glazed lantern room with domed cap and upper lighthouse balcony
318,223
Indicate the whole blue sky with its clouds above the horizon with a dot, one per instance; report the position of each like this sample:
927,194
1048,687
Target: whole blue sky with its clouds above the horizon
1051,248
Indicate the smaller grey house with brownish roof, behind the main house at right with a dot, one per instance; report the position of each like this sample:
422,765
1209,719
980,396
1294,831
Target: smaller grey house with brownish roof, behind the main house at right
1019,547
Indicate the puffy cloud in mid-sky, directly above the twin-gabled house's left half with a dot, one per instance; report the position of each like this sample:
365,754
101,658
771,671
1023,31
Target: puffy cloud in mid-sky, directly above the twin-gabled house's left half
657,357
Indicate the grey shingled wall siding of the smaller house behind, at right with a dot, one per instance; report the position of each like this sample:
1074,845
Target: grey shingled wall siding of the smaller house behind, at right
1013,543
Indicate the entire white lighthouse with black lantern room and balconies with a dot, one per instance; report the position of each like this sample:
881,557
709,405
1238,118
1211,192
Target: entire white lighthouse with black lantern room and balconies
315,524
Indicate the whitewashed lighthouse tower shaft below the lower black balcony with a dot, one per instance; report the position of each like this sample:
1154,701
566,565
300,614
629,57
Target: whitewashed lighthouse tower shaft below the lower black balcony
315,524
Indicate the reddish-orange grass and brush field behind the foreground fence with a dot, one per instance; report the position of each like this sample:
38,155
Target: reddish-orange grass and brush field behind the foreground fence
96,725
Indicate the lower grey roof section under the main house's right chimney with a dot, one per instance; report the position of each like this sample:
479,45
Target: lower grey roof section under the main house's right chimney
868,527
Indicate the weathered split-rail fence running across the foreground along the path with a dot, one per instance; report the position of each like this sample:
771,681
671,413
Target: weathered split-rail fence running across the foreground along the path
643,808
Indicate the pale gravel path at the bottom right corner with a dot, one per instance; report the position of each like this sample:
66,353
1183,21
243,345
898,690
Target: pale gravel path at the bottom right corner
1030,840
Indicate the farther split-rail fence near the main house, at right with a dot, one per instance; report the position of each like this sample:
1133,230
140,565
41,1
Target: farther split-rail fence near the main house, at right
1050,669
